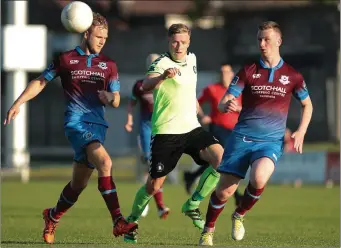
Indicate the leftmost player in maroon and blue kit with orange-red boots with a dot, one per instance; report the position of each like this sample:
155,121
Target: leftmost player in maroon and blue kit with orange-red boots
90,82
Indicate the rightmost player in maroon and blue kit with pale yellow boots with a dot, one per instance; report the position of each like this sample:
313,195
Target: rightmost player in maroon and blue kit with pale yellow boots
257,138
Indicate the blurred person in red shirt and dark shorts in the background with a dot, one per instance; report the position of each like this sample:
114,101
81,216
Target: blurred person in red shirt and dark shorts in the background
220,124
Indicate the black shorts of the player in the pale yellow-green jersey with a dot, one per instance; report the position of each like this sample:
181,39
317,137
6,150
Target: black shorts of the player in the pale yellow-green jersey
167,149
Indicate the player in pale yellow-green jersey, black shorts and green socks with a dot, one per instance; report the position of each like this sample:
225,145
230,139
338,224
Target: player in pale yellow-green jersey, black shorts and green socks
175,127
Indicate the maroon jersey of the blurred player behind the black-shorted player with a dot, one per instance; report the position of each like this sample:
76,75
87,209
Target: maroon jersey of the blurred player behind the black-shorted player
145,98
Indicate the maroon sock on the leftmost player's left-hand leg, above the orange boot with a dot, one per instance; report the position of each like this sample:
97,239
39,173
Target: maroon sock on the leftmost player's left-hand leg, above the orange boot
67,198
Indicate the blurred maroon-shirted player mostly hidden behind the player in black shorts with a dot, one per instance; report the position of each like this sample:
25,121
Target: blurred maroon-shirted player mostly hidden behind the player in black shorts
145,98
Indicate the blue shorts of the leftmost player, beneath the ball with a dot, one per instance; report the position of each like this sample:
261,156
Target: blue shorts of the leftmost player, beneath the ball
80,134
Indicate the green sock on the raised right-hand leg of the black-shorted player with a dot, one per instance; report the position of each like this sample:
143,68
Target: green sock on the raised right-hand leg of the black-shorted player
207,183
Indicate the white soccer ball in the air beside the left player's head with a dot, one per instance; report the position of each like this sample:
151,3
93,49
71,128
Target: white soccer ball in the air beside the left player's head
77,17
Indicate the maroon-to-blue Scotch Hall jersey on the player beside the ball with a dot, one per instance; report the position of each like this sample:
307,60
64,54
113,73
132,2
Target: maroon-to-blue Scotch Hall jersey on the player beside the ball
82,76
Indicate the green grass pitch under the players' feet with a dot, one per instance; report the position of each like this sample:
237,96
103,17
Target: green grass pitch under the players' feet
285,216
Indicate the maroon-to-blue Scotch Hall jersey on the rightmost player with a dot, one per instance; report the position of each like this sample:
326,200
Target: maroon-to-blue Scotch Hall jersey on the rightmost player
266,98
